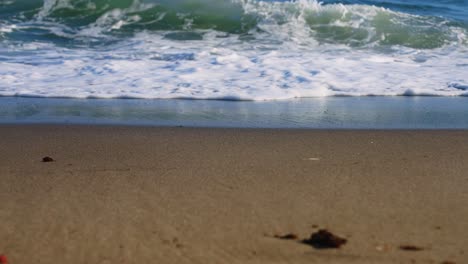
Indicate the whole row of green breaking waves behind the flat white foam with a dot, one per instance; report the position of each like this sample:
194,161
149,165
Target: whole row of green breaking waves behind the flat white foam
306,20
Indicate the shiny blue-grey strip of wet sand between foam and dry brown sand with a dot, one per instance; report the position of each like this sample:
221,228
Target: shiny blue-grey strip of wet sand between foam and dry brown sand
311,113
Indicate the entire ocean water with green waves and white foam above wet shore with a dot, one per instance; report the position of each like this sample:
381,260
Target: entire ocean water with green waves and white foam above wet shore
233,49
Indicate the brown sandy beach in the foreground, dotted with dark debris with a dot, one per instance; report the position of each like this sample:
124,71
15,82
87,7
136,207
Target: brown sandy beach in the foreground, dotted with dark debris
194,195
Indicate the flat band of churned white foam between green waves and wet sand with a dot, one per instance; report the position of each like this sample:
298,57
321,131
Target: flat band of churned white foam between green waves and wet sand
150,66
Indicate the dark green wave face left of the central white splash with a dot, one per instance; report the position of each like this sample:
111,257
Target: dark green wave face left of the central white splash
131,15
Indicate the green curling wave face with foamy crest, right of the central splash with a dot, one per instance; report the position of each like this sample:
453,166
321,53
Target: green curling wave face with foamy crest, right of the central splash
363,26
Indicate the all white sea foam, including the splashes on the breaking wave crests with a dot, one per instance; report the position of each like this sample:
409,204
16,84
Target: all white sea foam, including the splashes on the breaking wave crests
282,61
